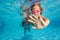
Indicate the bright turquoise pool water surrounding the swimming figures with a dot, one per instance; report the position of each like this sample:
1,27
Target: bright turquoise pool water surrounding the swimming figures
10,21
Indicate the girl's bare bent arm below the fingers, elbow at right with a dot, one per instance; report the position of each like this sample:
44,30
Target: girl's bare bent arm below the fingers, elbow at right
41,23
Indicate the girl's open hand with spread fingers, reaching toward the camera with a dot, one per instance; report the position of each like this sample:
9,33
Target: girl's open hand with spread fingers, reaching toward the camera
34,19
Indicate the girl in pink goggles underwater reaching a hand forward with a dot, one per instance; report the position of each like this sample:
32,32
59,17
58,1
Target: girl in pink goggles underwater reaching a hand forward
38,21
